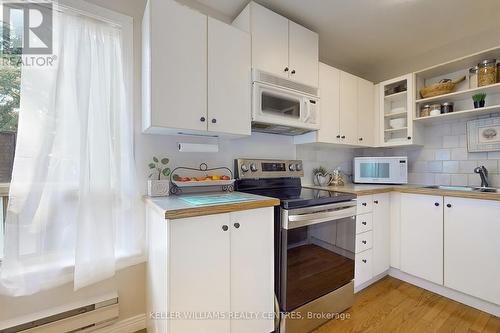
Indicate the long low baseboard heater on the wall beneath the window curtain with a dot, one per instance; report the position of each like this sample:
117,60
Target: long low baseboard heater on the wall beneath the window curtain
82,319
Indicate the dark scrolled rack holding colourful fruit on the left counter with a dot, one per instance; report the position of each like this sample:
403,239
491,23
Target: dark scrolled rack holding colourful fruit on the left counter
225,184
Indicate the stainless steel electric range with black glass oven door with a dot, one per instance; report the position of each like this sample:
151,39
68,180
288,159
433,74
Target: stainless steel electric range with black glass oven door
314,242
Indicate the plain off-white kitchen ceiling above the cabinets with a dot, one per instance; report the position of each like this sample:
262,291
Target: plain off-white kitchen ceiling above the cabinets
379,39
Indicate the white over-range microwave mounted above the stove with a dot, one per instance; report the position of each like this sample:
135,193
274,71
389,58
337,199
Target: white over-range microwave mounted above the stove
282,106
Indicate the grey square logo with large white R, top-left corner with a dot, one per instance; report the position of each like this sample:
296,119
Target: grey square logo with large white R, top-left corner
27,27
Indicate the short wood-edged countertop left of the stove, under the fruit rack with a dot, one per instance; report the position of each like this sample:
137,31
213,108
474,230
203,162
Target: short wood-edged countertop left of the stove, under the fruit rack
200,204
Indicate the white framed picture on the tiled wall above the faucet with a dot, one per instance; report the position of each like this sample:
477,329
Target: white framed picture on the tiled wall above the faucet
483,135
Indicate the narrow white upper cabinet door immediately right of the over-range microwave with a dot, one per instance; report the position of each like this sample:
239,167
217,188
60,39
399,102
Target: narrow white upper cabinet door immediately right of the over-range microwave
329,90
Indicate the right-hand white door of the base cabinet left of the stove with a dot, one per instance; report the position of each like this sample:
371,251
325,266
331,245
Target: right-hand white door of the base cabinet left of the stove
252,268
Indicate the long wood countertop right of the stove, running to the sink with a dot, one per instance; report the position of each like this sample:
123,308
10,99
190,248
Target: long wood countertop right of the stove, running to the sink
360,189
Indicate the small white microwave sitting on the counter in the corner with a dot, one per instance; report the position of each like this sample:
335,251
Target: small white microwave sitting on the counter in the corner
380,170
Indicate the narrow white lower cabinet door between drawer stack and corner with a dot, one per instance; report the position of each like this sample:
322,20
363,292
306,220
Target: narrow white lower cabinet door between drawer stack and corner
381,233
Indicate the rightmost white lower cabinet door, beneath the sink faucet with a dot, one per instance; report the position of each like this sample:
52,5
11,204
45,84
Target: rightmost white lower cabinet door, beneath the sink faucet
471,247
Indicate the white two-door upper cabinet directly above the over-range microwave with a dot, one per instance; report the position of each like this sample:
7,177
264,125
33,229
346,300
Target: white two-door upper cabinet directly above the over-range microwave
280,46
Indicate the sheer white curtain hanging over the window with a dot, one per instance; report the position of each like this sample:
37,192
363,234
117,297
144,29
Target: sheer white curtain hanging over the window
74,211
